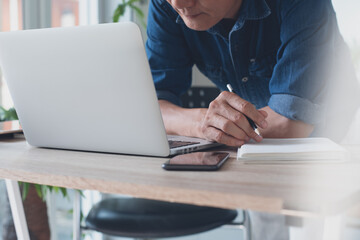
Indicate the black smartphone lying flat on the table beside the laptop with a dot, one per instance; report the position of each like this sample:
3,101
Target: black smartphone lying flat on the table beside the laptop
197,161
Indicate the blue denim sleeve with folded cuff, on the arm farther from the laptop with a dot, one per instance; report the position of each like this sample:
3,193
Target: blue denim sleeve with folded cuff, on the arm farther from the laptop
301,76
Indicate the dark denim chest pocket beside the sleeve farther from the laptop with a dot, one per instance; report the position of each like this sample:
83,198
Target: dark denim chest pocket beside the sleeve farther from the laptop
262,67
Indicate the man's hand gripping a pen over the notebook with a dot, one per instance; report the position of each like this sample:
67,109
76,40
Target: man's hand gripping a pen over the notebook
225,121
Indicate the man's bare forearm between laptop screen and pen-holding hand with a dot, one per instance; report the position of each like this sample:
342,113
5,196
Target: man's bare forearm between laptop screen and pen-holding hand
181,121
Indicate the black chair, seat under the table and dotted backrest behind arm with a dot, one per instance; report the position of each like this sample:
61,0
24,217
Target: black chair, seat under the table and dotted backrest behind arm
142,218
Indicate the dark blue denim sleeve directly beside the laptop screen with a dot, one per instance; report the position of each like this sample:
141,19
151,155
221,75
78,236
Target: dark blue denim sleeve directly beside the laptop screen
168,53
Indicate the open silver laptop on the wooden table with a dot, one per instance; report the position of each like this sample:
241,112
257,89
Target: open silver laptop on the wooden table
87,88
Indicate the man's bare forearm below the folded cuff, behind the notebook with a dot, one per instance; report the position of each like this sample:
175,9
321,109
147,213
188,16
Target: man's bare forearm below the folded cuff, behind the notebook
282,127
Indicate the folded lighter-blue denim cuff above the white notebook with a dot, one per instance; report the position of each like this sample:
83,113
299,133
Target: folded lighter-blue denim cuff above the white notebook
297,108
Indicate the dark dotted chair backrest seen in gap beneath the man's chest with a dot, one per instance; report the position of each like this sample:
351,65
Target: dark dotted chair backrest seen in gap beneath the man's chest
199,97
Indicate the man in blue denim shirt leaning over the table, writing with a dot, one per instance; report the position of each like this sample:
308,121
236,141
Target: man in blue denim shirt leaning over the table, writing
282,57
